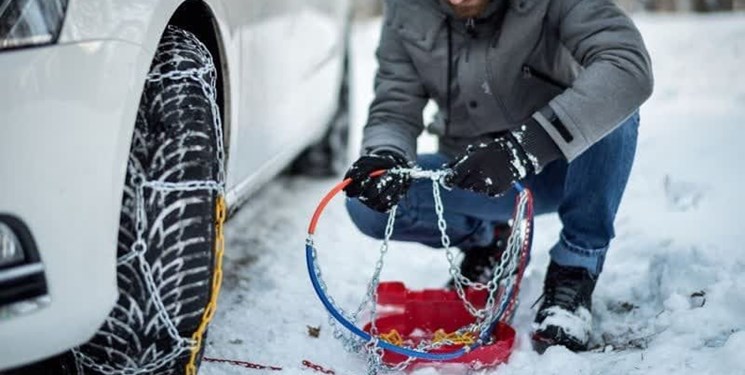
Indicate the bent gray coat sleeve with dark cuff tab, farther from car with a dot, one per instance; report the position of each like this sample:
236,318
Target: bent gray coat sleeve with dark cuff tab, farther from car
615,80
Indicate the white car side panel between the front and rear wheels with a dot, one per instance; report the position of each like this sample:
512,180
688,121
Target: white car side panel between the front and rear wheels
290,55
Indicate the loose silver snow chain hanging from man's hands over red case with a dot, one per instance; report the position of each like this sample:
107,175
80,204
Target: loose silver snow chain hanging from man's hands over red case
498,305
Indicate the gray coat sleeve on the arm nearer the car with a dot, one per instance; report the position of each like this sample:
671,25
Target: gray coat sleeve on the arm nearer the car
395,117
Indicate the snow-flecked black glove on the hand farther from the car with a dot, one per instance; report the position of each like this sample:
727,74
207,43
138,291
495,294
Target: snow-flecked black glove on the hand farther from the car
491,168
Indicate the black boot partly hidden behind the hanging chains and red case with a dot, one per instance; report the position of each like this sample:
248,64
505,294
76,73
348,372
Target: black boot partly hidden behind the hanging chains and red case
478,262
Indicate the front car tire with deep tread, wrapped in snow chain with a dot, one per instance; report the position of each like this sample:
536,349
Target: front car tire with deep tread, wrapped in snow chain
171,230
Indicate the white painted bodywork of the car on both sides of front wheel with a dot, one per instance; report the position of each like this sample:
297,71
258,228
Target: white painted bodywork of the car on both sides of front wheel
68,113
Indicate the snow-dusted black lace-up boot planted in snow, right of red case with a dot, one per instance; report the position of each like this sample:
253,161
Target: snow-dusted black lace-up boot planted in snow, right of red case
565,316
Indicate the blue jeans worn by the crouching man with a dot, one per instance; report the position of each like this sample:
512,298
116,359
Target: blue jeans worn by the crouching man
586,194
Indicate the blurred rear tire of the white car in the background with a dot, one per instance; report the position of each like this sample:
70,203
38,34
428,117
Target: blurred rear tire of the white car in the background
328,157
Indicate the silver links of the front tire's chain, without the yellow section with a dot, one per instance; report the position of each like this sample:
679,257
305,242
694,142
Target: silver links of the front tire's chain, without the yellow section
206,78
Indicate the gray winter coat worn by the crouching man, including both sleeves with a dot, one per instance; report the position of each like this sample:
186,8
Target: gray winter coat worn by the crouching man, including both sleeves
579,67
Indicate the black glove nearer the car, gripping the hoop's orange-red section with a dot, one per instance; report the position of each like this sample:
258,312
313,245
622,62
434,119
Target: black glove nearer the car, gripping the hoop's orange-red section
379,193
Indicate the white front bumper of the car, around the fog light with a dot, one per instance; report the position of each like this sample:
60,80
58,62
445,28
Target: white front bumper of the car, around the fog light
65,130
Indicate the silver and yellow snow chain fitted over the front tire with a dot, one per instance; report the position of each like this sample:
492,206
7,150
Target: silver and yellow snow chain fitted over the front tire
206,77
